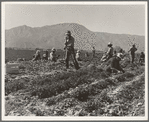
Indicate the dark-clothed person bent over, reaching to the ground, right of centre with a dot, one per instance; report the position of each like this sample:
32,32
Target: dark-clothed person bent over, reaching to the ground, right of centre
115,64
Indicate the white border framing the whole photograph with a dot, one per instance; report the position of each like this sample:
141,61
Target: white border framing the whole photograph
51,118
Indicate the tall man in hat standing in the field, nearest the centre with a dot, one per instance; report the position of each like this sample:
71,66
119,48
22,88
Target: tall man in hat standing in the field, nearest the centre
69,48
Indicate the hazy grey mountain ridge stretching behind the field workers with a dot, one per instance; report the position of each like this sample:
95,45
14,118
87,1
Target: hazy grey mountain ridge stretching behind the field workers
53,36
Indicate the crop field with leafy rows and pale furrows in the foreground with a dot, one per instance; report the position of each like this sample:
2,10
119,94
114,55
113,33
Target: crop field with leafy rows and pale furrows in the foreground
47,89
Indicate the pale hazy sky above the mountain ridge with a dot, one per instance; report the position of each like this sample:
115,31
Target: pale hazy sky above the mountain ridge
120,19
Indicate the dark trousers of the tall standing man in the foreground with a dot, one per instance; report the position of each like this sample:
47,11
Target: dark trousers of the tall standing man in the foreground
70,52
